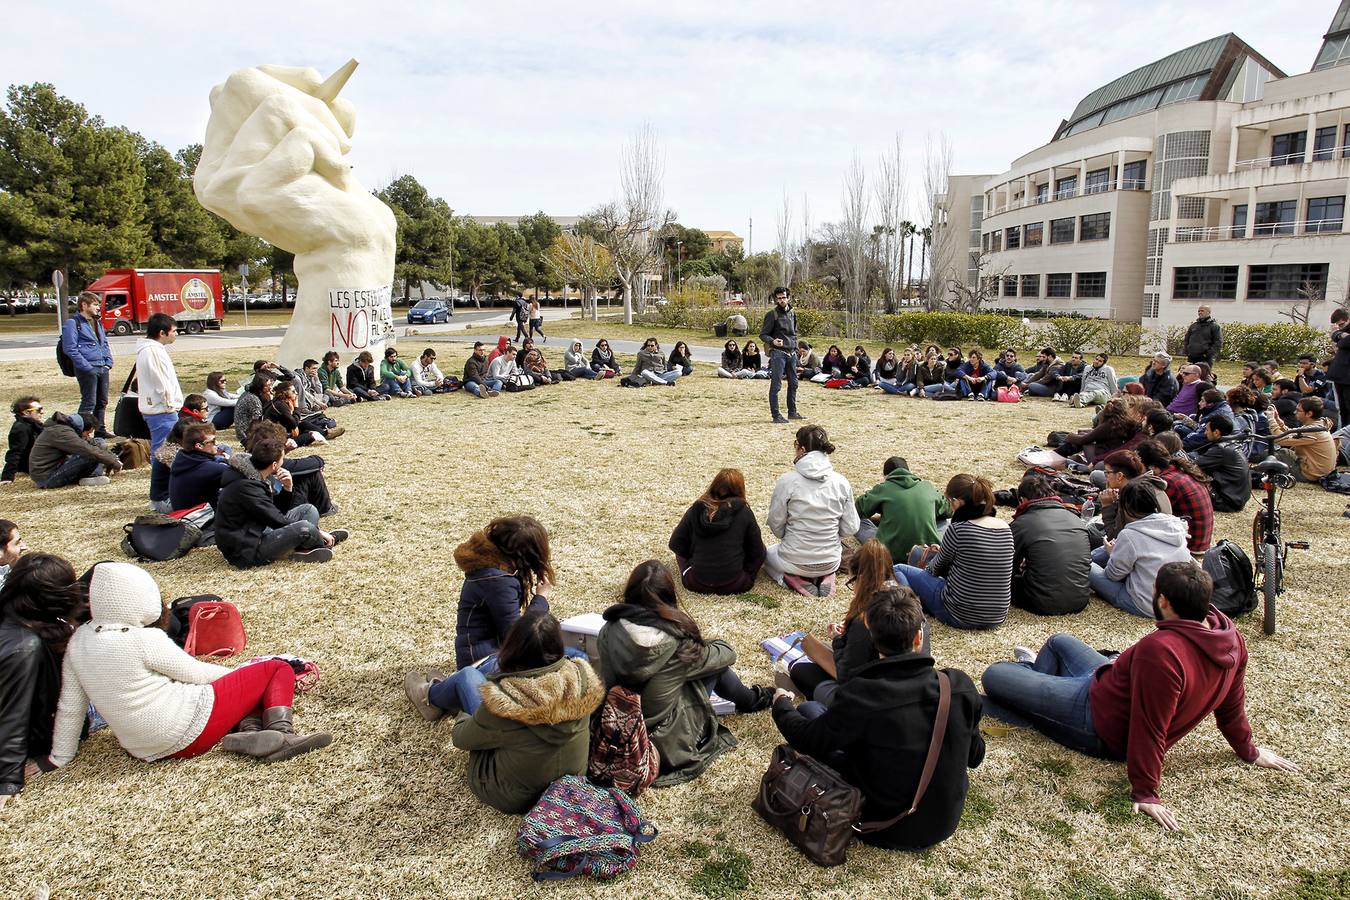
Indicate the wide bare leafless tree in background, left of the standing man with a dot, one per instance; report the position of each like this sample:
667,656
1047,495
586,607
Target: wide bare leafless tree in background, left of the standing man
631,227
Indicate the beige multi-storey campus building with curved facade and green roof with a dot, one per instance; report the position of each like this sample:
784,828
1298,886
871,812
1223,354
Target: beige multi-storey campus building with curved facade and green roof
1206,176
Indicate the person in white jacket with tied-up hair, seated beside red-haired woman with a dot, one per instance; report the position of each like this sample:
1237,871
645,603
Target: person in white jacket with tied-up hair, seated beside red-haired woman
812,511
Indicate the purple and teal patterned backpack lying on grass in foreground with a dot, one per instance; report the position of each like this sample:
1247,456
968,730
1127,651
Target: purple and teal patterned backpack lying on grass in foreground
580,829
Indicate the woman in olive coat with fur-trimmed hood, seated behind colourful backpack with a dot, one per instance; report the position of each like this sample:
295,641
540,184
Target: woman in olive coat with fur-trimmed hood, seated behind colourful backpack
530,723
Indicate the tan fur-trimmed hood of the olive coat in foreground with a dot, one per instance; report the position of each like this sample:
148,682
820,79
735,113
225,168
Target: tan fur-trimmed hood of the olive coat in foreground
564,692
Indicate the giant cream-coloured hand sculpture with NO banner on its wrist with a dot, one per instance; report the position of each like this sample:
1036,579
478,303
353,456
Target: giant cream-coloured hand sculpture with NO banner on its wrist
273,167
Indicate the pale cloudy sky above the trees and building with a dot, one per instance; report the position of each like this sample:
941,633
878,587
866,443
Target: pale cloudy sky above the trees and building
508,109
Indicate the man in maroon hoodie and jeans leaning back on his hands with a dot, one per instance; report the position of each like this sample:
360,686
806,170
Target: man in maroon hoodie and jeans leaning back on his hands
1139,705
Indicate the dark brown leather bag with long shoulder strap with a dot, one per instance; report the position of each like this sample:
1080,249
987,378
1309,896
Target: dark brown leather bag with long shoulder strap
817,810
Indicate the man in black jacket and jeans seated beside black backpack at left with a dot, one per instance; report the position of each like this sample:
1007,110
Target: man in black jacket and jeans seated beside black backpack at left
250,530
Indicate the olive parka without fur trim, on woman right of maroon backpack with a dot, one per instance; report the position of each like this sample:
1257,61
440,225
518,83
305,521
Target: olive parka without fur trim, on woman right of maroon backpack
639,651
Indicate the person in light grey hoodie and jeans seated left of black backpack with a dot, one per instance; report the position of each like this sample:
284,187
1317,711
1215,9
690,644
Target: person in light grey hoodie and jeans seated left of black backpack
1124,570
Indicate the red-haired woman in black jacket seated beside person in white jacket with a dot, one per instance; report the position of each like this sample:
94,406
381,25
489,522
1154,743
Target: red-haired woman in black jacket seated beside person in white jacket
718,543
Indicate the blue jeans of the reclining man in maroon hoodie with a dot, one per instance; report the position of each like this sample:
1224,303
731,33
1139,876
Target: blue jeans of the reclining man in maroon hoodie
1052,693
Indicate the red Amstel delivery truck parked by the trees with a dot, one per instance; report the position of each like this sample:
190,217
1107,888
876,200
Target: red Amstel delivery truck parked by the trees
133,296
